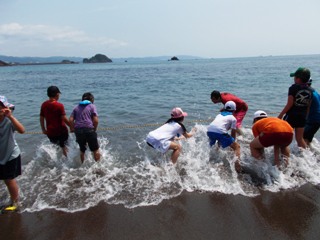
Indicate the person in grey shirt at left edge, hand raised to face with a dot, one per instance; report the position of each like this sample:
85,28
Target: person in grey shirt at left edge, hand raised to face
10,159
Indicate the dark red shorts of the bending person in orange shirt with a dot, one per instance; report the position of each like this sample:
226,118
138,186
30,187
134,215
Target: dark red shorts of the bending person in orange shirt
280,139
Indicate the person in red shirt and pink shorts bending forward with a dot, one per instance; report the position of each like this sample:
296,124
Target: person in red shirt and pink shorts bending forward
241,106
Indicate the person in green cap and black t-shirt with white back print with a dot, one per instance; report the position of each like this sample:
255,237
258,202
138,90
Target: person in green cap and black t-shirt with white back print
297,107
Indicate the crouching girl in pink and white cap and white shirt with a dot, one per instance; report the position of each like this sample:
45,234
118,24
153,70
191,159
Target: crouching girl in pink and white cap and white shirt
163,137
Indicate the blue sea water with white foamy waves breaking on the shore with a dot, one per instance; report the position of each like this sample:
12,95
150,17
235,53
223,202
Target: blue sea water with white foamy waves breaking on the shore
131,98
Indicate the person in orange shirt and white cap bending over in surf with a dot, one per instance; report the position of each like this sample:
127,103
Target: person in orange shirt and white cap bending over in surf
271,131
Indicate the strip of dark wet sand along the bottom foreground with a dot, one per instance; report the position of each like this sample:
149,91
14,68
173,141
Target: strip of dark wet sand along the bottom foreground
290,214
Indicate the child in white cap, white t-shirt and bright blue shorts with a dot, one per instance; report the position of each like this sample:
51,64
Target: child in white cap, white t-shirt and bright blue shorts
218,131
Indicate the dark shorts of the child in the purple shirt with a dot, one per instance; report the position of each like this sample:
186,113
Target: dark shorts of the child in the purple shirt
86,136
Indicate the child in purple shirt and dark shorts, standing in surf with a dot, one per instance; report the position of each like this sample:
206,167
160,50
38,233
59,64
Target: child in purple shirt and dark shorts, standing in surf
84,122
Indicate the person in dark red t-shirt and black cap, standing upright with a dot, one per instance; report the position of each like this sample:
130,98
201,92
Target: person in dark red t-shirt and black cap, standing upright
53,119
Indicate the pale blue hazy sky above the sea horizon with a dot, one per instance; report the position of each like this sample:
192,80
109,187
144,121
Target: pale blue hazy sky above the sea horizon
146,28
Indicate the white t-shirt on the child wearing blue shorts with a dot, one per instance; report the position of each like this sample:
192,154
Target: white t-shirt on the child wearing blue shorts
221,124
